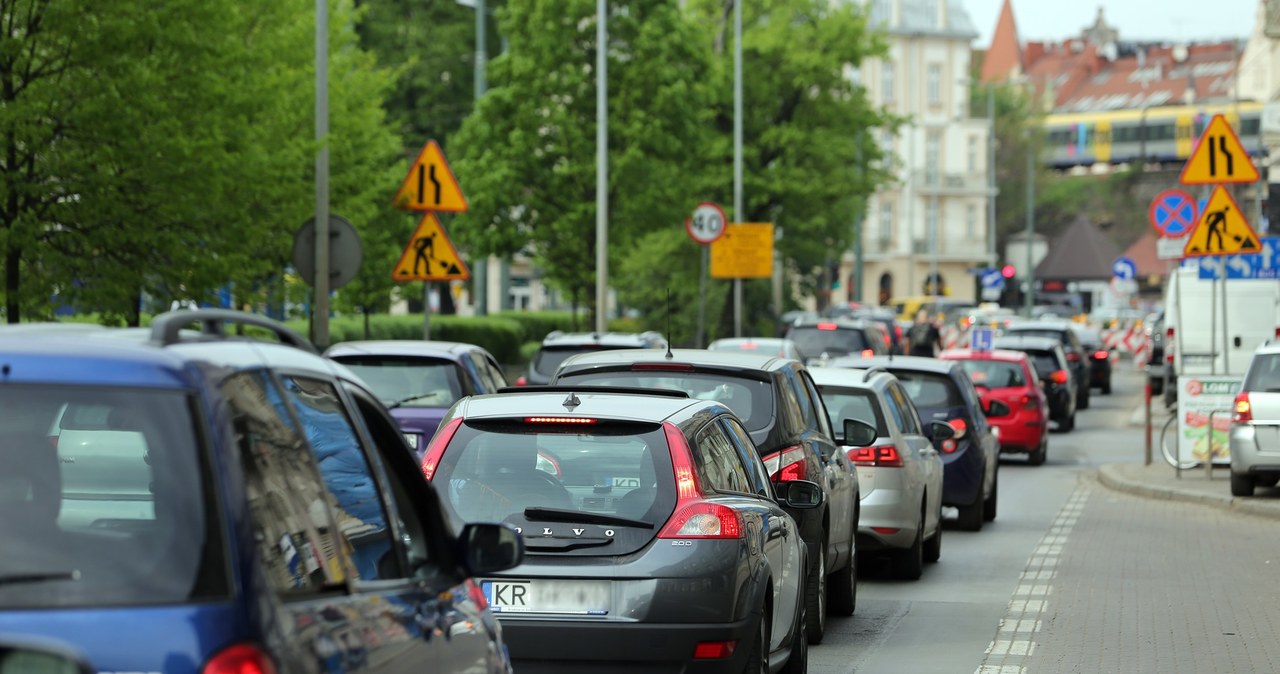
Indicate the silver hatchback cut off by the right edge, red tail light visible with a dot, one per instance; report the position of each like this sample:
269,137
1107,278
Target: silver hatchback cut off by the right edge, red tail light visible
1256,424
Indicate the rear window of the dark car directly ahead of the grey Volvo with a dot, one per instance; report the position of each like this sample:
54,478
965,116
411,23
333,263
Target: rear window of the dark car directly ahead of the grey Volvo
752,401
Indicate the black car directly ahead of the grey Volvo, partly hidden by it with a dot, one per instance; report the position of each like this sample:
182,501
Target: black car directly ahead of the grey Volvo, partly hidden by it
783,411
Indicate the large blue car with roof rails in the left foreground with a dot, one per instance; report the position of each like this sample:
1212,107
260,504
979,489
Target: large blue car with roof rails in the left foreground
182,501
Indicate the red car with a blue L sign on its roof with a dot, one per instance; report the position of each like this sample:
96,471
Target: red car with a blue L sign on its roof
1008,377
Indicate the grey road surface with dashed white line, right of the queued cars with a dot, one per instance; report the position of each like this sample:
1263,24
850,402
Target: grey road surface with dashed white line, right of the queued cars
1076,577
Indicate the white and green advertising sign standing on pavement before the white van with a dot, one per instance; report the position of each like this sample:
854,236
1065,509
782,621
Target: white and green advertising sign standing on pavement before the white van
1205,418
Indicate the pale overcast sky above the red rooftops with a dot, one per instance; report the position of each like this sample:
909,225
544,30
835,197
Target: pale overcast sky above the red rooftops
1136,20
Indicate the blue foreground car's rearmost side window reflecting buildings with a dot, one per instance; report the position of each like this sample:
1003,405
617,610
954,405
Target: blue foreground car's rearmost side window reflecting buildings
287,498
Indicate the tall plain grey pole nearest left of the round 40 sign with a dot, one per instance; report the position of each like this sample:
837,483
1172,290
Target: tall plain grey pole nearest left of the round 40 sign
602,168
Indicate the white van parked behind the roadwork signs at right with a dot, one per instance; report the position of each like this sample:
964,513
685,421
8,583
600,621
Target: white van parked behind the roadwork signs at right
1213,328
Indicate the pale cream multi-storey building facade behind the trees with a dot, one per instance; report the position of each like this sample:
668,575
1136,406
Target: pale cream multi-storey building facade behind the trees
932,221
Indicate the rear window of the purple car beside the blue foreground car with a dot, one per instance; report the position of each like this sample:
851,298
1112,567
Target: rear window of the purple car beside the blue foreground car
409,382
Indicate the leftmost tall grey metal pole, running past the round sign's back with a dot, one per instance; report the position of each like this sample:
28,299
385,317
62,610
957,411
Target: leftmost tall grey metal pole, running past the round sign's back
321,309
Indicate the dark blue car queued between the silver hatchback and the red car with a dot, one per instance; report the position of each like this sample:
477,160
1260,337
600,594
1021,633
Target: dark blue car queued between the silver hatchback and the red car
943,391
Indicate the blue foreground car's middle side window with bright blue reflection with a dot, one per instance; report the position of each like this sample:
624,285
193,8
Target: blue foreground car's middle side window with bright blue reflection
348,475
